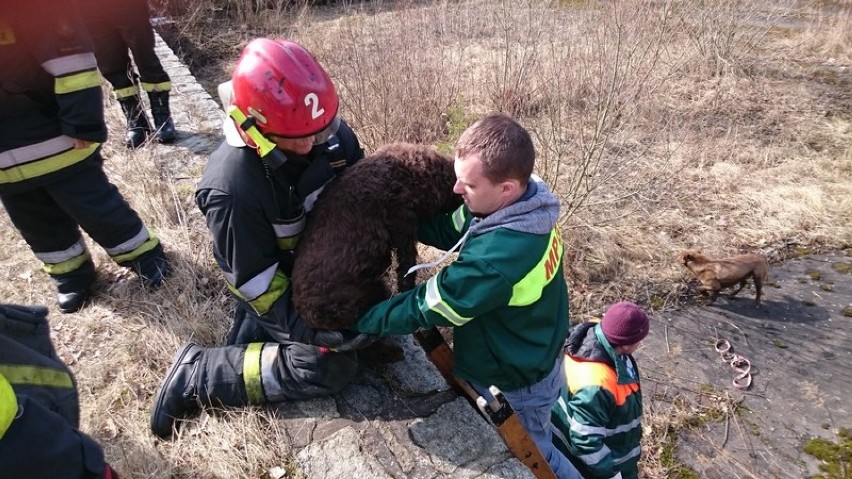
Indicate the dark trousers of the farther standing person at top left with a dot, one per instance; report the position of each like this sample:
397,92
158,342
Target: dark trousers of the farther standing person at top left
116,27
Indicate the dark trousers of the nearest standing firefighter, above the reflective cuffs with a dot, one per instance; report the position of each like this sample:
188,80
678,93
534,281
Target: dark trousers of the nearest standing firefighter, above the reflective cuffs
49,216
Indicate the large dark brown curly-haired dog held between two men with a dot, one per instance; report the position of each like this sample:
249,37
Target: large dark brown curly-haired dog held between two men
359,221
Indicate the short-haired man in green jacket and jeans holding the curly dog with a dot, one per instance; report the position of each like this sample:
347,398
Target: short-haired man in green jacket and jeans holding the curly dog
505,295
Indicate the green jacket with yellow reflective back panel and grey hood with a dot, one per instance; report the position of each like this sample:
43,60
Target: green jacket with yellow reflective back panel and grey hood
505,295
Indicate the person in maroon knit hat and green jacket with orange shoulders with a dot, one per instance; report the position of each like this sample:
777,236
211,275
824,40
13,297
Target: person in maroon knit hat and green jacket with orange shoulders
597,421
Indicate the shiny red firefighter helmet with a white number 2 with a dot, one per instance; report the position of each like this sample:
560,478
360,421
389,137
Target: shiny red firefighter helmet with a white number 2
284,88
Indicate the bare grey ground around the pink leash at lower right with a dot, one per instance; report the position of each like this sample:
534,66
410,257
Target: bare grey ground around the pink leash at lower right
798,343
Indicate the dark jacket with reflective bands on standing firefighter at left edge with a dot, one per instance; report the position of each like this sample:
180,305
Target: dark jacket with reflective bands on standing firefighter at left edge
50,92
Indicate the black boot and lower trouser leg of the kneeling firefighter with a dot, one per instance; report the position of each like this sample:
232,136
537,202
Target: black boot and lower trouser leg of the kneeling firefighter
198,378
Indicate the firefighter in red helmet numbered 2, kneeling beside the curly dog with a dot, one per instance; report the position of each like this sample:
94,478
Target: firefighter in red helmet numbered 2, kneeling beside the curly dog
284,140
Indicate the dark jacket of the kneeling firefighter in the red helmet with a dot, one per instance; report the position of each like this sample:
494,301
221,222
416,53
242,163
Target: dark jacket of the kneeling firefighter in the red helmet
254,235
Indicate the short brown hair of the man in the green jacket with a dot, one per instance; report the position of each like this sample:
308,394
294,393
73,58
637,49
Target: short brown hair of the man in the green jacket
505,147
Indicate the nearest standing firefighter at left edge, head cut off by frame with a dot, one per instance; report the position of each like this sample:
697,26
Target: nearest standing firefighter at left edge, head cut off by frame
52,181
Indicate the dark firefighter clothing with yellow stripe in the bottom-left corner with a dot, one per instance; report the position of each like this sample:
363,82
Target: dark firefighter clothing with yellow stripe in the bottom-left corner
39,412
